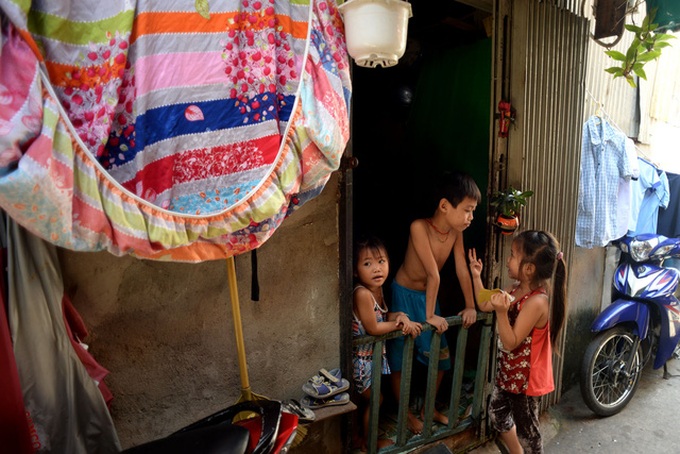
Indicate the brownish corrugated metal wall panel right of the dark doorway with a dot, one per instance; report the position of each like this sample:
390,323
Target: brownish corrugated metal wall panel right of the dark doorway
541,58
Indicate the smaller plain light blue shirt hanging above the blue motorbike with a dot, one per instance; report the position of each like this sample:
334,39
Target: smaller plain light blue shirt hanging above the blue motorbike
650,192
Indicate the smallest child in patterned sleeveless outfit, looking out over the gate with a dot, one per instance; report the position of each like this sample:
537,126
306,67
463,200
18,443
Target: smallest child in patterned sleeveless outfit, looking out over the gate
371,317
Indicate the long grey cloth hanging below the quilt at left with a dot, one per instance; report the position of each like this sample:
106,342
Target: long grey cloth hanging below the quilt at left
68,412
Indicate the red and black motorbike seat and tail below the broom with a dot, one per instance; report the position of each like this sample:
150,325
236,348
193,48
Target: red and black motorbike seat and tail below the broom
270,429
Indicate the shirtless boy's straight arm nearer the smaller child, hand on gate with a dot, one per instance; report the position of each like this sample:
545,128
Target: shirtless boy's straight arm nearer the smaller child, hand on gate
421,245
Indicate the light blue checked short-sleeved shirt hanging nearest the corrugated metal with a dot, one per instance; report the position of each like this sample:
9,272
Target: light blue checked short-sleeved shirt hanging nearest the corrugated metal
604,163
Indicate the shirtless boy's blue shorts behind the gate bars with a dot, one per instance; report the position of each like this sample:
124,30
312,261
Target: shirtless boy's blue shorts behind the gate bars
412,303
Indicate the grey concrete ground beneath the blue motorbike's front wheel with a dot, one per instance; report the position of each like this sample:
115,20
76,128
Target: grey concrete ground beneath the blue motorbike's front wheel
648,424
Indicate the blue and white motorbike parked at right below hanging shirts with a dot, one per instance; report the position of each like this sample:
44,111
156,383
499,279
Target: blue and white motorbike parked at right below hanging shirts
641,323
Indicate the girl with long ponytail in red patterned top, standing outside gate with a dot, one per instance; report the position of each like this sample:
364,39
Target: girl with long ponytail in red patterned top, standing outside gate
528,324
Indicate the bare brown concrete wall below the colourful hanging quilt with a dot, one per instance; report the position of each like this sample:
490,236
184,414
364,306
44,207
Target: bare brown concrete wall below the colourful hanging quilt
165,330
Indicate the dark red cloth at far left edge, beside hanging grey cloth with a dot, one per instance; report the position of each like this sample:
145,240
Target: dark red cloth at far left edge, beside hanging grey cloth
15,436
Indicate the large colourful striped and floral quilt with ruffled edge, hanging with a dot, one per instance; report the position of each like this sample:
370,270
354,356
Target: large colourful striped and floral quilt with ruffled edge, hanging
170,130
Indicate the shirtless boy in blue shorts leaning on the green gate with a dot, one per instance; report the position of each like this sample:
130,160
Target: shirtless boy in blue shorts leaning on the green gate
416,284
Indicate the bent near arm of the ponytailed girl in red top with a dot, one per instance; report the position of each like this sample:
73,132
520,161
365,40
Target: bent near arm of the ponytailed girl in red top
534,313
